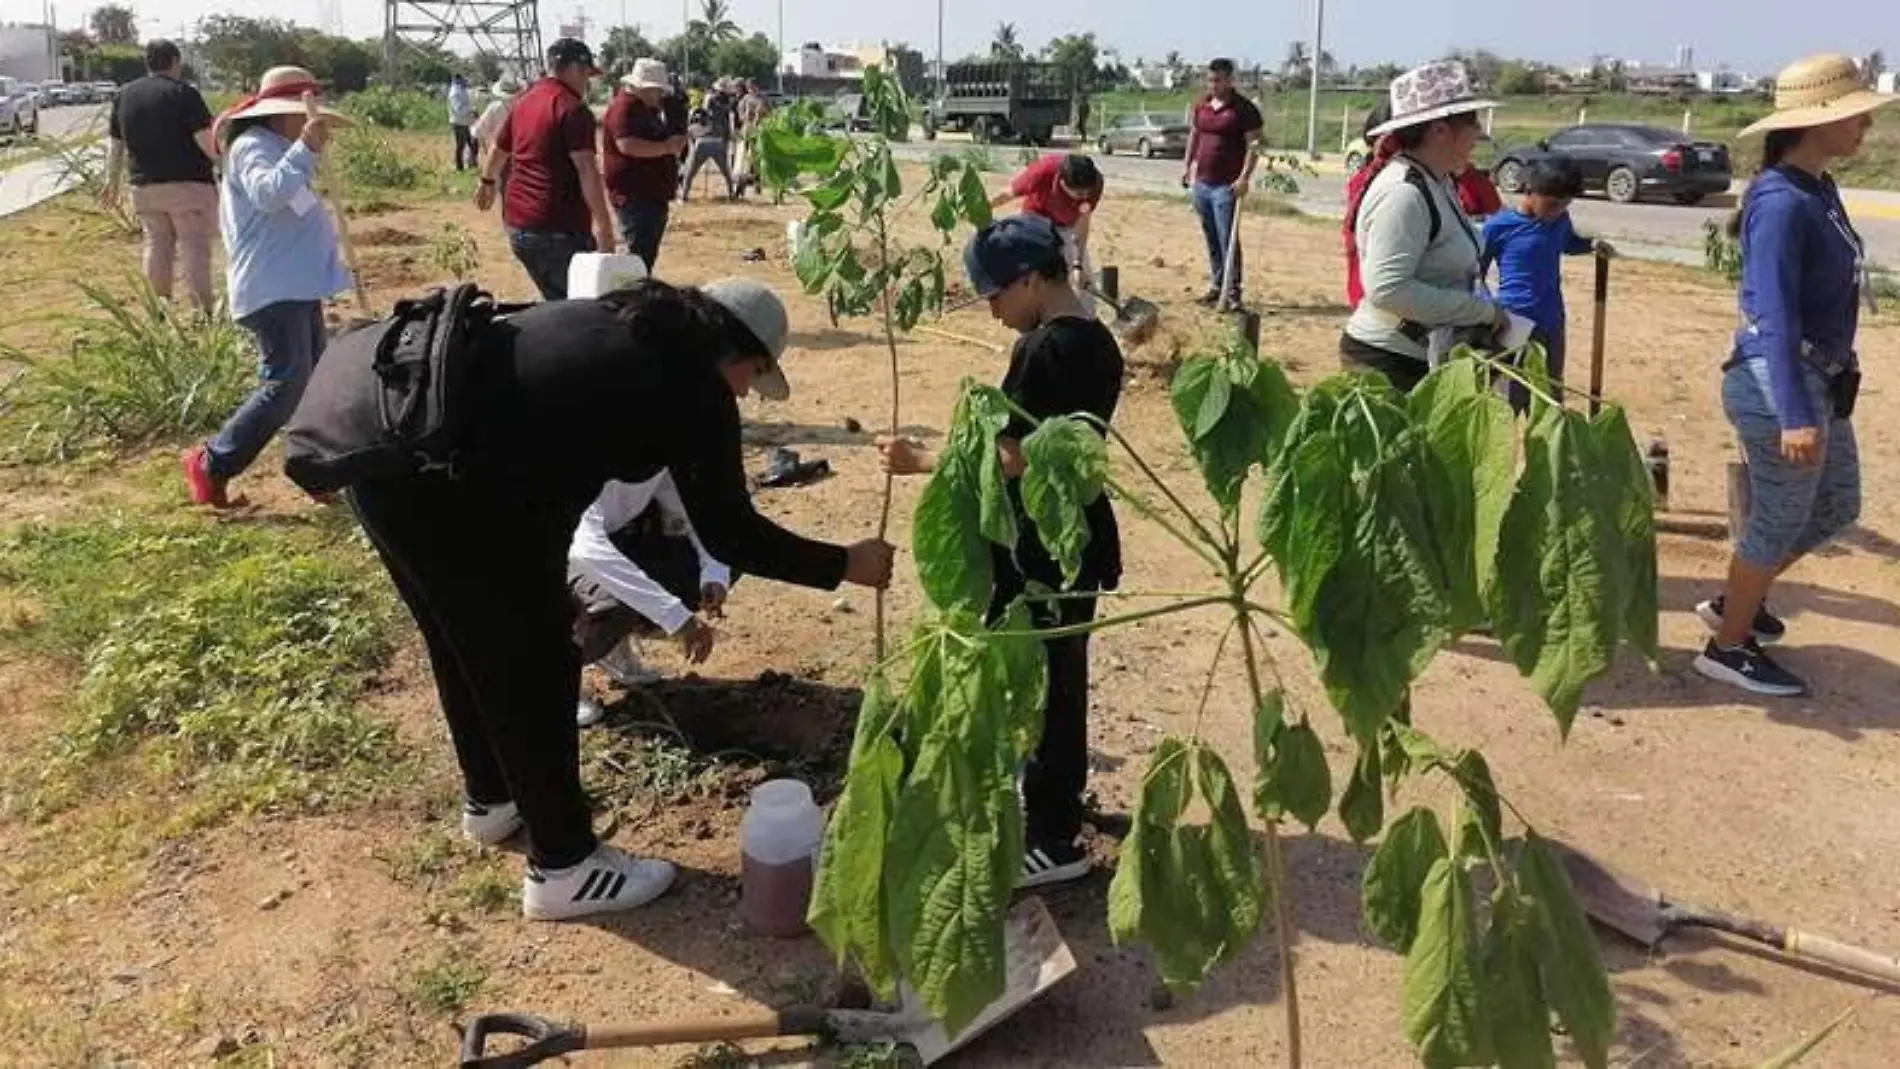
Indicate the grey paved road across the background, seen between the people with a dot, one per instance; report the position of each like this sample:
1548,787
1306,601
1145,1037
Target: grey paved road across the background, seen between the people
1648,231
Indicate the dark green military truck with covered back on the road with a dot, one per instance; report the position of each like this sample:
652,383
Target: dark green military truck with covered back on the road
1000,102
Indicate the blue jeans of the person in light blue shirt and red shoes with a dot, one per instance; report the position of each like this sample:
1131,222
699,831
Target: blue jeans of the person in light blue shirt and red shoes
290,339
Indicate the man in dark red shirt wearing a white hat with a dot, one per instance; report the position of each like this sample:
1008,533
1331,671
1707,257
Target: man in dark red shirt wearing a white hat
641,159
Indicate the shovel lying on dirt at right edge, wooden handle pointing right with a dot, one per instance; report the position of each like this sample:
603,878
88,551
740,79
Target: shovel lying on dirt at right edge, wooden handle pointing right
1646,916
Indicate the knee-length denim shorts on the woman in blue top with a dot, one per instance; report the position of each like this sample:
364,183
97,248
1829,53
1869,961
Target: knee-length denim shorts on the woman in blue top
1793,510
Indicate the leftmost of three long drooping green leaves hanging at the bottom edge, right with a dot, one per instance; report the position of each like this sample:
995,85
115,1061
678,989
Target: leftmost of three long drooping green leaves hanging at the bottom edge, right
1445,1013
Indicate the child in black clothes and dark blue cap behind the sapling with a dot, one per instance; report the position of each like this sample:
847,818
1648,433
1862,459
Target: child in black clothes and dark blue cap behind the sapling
1065,364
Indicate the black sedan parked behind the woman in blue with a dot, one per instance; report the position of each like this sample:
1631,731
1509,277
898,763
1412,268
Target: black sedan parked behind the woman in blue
1627,162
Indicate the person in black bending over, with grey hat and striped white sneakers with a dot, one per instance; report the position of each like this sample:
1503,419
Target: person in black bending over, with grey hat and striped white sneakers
573,396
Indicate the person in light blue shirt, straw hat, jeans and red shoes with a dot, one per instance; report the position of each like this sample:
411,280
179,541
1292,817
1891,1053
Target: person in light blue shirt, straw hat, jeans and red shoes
282,263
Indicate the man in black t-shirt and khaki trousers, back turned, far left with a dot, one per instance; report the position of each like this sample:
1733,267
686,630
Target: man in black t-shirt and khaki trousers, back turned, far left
162,128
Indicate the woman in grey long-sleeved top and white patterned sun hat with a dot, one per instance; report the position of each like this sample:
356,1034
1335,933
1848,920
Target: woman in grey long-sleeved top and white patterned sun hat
1416,246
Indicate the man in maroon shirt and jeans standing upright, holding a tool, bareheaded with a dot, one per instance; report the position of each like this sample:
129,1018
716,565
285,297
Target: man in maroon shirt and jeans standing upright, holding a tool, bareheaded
1221,166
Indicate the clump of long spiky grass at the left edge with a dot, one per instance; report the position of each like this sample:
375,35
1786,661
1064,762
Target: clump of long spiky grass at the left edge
138,373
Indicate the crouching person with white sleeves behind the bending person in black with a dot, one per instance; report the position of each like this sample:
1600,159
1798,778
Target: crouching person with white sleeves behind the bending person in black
637,569
